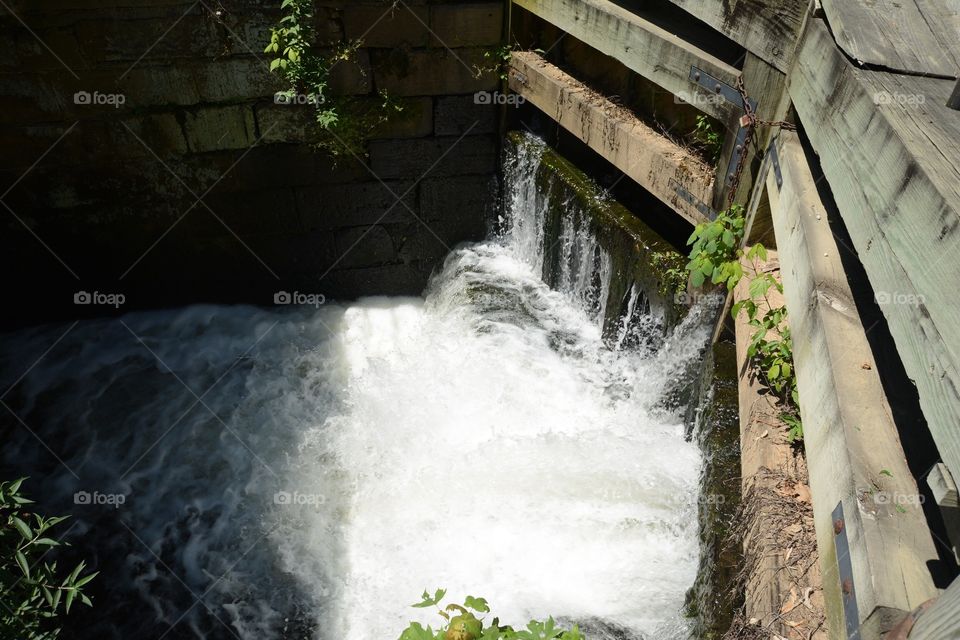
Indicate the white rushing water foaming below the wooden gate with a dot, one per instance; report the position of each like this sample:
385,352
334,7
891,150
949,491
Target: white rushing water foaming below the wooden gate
308,472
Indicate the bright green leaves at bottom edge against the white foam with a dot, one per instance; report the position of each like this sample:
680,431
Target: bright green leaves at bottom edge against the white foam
460,622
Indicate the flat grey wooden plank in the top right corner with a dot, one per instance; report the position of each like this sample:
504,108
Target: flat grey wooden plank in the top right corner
912,36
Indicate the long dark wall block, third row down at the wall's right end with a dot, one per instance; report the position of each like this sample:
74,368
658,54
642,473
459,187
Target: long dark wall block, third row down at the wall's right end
433,157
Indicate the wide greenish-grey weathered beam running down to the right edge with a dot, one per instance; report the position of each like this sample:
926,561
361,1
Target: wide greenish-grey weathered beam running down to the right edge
894,170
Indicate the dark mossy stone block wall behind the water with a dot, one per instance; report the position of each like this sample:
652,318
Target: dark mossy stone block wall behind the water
198,187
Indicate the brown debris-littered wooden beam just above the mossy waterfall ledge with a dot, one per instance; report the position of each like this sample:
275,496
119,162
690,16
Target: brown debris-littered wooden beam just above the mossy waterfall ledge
650,159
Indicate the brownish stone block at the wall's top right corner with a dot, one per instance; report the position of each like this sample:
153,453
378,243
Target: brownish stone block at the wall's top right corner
467,25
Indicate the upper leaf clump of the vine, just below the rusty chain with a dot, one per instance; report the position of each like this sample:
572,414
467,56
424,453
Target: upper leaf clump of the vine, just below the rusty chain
715,252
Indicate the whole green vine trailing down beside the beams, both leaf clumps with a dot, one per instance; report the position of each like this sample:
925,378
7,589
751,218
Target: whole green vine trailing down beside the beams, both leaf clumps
716,255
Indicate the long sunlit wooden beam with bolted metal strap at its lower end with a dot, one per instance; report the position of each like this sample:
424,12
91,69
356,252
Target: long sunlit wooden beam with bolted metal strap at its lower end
852,445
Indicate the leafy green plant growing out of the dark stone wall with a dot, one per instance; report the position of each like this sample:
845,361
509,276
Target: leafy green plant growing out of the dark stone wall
344,124
